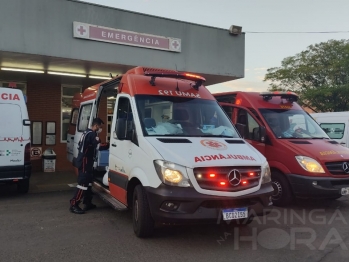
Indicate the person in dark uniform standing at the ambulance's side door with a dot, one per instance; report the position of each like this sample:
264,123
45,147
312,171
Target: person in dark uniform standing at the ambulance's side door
84,162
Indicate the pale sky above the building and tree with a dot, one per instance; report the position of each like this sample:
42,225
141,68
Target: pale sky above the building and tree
262,50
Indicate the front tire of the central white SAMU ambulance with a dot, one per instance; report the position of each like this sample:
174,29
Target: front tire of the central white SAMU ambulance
143,223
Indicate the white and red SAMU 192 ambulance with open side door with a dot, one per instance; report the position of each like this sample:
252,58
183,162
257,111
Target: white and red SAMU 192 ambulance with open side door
174,155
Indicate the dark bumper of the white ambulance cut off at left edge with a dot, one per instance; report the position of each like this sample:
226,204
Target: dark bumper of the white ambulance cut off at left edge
10,173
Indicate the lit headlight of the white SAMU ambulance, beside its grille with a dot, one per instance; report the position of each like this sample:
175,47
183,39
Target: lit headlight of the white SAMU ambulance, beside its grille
171,173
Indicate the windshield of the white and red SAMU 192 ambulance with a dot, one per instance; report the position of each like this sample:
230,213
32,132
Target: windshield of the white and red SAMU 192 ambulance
179,116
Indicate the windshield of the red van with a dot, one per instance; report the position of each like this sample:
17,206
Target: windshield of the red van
287,123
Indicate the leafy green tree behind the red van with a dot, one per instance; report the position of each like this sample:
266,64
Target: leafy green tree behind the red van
319,75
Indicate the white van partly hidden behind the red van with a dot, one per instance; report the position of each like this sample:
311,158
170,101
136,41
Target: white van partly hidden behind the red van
335,124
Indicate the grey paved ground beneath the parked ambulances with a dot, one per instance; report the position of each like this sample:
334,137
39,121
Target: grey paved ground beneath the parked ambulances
38,227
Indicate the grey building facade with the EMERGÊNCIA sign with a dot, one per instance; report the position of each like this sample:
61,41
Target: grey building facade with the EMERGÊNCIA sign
52,49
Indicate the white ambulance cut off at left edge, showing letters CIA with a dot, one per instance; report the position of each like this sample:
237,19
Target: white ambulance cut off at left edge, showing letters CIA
15,166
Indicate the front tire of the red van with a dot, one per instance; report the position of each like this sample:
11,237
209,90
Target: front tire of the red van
282,195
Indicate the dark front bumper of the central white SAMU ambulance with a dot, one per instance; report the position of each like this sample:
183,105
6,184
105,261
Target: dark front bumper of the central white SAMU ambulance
180,205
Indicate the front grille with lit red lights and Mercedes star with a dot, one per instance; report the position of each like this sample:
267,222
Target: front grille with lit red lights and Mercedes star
230,179
